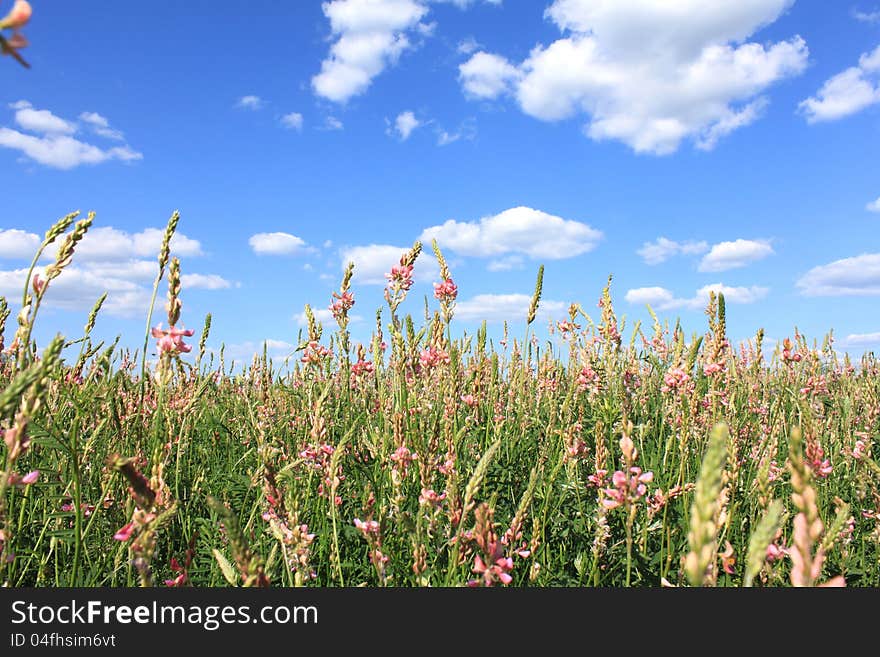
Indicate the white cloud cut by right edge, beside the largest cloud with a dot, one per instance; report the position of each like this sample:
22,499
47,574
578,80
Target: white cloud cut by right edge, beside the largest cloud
846,93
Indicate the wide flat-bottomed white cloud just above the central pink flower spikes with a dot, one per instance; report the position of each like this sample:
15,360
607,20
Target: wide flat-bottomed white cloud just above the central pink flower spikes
519,230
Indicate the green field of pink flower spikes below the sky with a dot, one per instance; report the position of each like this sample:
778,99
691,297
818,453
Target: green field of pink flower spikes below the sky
604,456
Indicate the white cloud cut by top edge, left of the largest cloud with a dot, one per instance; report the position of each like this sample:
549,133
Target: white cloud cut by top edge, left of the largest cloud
369,35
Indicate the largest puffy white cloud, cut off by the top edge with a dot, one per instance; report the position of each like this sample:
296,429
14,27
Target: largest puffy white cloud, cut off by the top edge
649,73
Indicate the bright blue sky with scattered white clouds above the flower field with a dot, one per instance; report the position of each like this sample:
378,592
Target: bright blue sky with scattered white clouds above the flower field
678,147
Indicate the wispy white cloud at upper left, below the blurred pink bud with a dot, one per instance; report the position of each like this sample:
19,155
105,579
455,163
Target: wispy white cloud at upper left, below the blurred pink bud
53,145
